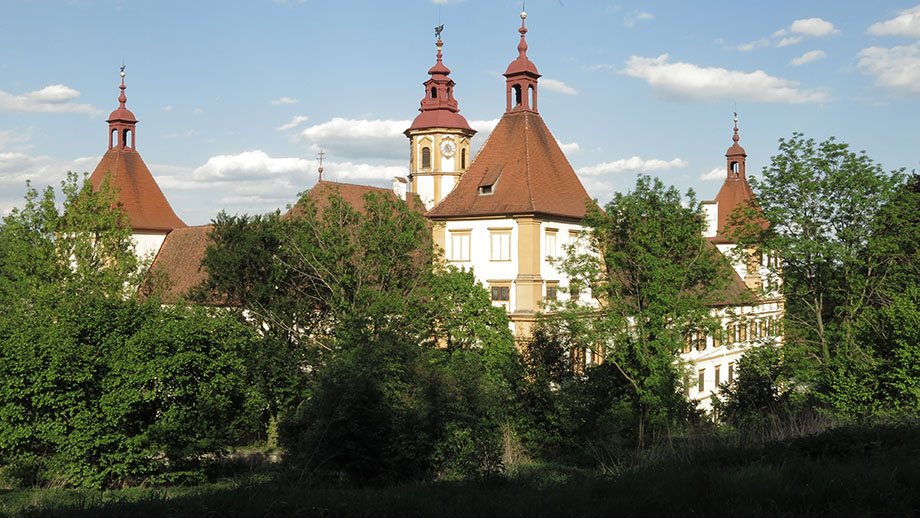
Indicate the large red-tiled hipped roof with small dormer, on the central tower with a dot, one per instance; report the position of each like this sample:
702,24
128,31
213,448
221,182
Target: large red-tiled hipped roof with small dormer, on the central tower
526,170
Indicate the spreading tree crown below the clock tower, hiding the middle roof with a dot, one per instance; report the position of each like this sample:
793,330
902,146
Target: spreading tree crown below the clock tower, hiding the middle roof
325,277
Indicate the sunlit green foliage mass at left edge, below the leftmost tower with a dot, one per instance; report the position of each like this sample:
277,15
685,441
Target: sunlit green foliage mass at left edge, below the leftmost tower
99,388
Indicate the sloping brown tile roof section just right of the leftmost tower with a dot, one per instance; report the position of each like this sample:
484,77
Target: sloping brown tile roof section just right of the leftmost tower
178,262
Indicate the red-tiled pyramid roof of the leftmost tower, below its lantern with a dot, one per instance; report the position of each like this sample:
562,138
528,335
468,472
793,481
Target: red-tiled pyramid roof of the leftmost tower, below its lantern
141,197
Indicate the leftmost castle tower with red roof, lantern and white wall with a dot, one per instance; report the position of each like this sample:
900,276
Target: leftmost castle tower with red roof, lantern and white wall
143,202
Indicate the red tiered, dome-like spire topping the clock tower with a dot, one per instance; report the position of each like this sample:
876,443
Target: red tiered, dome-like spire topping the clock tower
439,107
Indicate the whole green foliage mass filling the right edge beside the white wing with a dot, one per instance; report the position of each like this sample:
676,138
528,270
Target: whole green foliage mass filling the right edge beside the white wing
847,232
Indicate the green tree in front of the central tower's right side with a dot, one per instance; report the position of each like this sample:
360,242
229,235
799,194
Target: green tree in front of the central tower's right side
656,279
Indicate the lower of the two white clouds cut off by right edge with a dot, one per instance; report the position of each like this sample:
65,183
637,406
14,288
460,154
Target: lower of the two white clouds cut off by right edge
896,68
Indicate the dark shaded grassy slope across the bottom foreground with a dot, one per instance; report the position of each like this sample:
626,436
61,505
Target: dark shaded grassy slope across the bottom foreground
842,472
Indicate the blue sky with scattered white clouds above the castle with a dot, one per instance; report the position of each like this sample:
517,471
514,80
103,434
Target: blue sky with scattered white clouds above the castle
236,98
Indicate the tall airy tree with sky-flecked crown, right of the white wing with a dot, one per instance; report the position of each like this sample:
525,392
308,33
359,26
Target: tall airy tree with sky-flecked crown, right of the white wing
821,201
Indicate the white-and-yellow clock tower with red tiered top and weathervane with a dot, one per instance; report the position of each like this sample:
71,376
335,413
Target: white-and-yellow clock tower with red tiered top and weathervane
439,138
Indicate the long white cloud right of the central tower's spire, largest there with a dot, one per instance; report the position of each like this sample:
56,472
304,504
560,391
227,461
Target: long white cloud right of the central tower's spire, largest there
686,81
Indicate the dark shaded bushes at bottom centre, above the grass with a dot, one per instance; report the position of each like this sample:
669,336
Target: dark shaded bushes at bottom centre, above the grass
390,411
